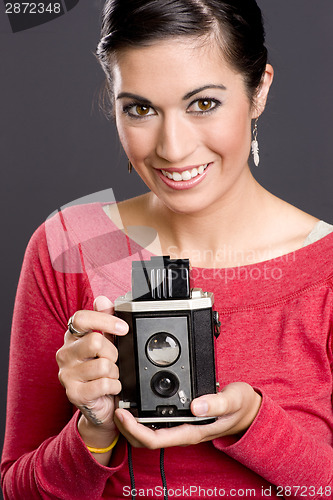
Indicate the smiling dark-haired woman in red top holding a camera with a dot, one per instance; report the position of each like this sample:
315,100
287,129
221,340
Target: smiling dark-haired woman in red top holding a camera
188,80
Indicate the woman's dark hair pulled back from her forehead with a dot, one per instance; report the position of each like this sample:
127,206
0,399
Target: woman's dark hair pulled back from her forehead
237,24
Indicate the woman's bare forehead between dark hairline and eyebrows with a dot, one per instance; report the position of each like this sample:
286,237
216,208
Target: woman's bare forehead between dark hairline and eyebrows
173,66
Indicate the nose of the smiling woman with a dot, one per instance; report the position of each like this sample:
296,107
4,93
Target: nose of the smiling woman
176,139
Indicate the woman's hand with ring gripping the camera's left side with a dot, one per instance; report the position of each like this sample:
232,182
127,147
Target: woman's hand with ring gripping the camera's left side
88,370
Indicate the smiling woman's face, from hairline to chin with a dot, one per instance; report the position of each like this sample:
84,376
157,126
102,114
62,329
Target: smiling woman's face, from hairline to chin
184,120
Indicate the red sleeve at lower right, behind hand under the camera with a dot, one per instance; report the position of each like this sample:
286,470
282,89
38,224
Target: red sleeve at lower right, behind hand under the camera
282,452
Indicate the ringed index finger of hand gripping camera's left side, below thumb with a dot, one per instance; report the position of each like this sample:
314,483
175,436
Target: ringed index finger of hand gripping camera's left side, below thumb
86,321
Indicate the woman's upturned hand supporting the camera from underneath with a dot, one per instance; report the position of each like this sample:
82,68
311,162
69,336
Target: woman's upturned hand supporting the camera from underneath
235,407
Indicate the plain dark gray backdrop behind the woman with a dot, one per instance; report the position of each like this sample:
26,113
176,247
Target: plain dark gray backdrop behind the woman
56,146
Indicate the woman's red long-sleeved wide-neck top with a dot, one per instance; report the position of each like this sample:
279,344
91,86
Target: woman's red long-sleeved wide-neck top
276,335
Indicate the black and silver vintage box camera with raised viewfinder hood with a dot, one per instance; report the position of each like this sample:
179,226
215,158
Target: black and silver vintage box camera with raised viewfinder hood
167,358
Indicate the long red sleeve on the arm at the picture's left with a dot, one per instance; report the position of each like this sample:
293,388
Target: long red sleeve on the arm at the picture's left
43,455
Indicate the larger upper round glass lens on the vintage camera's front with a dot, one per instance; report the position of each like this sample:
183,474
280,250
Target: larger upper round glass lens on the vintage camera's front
163,349
